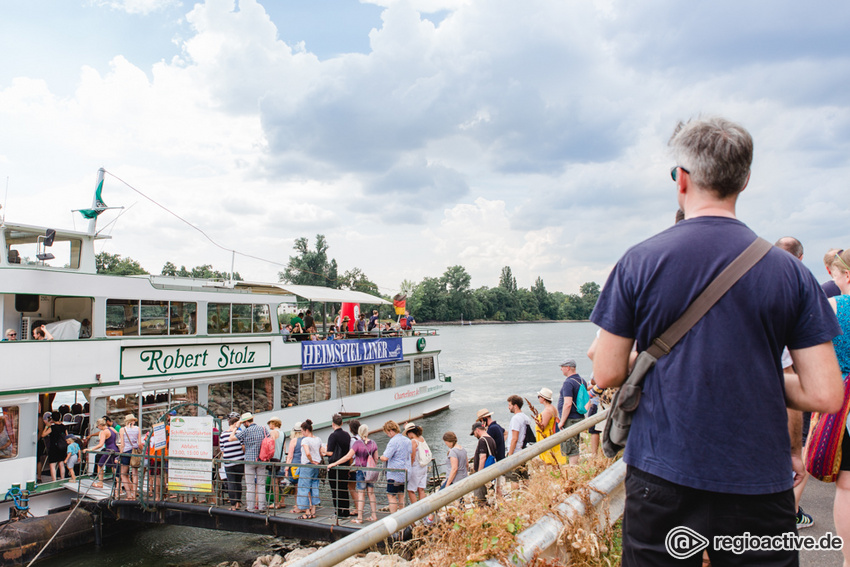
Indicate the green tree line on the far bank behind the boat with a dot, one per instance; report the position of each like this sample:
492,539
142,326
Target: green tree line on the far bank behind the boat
448,297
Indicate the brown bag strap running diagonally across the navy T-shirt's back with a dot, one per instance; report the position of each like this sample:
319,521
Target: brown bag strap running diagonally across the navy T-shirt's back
710,295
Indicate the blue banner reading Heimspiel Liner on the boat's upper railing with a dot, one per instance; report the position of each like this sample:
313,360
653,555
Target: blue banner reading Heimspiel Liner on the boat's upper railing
328,354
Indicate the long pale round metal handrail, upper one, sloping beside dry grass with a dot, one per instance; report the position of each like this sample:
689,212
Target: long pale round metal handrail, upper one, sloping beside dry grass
383,529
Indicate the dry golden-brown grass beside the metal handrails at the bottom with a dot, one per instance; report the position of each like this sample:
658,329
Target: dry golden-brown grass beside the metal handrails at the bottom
468,534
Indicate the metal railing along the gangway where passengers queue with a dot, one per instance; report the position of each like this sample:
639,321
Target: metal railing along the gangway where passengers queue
225,483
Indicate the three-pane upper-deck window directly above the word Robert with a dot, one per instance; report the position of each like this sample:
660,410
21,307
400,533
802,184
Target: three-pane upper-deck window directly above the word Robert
143,317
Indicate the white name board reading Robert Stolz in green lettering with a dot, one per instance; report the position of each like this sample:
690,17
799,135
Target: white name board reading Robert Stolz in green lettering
138,362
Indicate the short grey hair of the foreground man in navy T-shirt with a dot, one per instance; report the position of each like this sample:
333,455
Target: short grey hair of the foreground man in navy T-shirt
716,152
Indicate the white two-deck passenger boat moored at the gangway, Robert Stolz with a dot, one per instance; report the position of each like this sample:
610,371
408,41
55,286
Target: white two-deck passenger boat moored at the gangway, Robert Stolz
145,344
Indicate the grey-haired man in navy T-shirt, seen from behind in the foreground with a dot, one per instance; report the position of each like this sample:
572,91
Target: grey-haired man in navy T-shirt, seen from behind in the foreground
709,446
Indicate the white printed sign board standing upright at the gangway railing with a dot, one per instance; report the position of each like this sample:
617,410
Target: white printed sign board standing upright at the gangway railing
190,439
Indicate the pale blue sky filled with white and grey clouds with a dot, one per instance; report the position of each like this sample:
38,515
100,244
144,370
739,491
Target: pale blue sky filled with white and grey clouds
416,134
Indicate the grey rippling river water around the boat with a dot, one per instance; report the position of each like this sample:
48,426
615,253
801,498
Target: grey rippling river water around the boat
487,364
